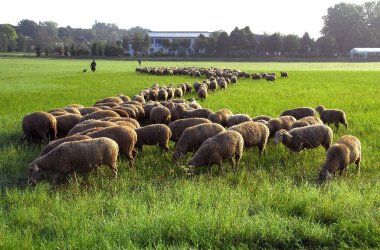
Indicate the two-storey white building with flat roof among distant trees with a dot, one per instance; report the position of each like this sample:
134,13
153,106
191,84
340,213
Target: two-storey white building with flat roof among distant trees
157,38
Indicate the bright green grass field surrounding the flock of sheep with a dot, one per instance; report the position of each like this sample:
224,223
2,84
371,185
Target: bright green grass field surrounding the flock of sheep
272,202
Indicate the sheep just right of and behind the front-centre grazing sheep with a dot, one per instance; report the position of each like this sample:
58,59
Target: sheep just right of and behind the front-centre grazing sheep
254,134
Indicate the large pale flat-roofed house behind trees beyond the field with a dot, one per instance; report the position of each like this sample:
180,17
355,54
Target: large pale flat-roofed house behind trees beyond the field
174,42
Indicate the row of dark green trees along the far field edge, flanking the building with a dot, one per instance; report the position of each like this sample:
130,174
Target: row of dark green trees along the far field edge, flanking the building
346,26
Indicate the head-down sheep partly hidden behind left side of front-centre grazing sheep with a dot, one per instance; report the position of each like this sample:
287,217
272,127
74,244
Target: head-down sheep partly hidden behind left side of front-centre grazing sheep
192,138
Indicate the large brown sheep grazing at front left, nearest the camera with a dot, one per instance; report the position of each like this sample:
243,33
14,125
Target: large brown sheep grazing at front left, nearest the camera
75,156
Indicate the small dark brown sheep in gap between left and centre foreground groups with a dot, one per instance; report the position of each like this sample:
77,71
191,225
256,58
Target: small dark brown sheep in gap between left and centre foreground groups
152,135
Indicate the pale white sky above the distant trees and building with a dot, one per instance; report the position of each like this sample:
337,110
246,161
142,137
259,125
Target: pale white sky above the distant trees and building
269,16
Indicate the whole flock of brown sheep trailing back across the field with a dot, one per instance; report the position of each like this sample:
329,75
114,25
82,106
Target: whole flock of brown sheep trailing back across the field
83,138
